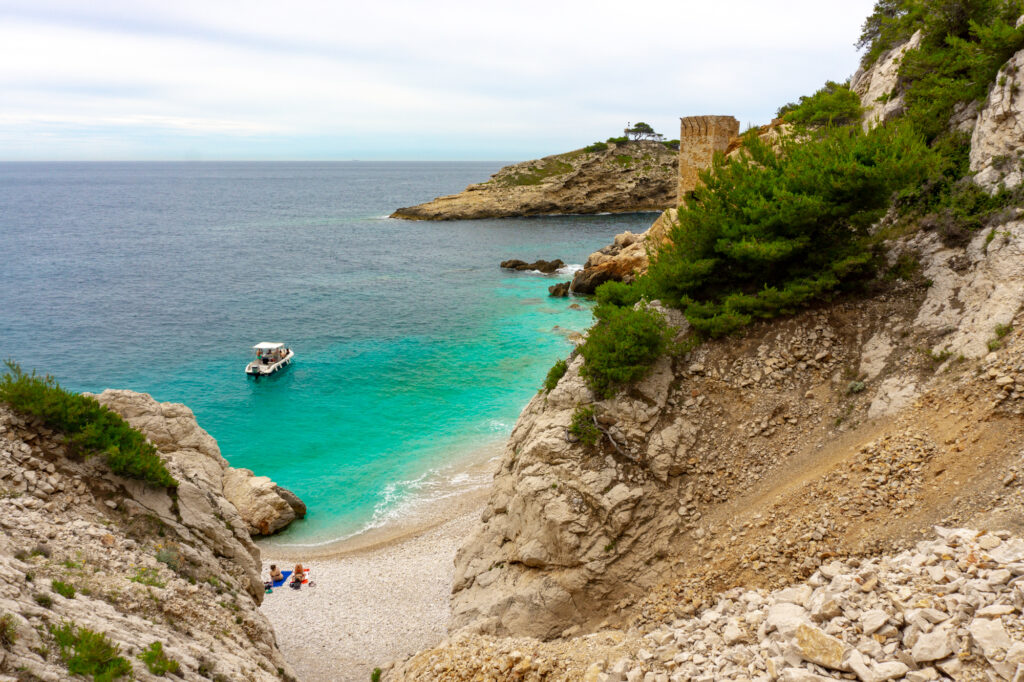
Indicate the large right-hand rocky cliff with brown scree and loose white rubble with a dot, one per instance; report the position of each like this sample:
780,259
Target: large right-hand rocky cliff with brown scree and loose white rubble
791,456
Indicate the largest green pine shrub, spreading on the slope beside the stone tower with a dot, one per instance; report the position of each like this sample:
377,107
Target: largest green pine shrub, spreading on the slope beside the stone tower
776,231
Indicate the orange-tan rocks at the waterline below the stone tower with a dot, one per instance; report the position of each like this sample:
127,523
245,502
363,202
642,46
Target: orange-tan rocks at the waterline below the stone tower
626,259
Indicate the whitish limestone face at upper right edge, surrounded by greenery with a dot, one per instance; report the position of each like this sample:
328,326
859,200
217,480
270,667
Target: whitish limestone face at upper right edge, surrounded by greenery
999,137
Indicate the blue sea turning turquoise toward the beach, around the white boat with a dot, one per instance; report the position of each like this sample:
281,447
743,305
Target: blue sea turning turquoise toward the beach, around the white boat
415,353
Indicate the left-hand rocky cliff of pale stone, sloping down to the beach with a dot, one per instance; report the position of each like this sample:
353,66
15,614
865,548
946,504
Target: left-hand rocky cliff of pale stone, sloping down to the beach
127,561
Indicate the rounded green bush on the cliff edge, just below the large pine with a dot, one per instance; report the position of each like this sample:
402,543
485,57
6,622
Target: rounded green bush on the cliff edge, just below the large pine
622,347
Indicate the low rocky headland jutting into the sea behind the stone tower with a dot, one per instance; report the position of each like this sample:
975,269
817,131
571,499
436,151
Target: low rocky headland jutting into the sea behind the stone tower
625,178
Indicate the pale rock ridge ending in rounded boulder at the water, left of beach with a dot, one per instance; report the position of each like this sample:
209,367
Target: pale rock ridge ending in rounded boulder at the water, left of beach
193,456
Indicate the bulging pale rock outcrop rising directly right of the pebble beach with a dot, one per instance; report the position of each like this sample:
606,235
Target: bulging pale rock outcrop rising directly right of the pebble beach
565,525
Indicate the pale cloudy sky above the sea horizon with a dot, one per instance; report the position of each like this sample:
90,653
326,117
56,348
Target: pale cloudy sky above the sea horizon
397,79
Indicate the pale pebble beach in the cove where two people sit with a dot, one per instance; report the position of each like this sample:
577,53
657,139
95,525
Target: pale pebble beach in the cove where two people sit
377,599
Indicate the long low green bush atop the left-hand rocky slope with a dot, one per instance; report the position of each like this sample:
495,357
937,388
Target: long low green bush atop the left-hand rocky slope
90,428
